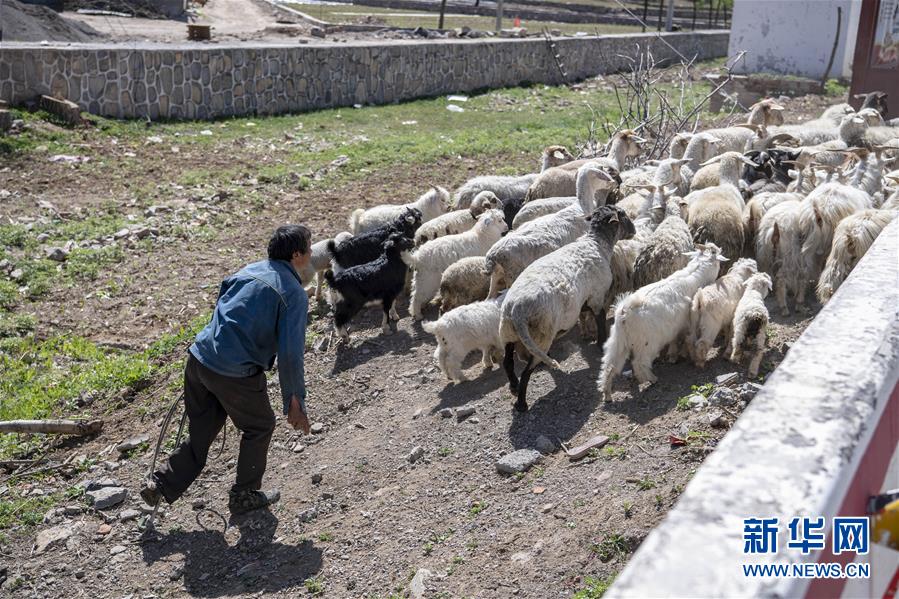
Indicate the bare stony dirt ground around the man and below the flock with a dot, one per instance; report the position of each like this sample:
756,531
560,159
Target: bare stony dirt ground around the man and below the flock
357,518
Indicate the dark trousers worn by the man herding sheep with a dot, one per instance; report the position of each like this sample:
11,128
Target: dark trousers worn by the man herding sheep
209,398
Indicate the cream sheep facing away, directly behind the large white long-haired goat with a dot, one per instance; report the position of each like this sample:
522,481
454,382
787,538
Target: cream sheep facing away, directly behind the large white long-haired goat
665,249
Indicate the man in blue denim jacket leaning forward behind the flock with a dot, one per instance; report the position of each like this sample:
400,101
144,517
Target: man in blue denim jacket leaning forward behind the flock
260,313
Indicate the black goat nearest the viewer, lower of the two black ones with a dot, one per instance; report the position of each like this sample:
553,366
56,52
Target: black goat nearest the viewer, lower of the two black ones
379,281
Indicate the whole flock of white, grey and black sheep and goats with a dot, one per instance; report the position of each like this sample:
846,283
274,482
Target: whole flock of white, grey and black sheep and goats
518,260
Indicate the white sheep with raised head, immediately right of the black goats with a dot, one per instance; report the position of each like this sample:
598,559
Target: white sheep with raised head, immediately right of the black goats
434,257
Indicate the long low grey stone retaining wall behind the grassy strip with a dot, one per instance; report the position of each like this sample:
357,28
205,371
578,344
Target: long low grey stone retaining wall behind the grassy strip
219,80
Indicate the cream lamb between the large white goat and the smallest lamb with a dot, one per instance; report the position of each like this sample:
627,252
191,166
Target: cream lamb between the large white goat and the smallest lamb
713,309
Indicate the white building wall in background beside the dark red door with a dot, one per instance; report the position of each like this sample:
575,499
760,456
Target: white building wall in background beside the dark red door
794,37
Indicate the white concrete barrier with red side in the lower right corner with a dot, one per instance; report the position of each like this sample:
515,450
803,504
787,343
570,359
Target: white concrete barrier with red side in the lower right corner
818,439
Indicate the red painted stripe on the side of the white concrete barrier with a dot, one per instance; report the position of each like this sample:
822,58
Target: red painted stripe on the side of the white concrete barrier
867,480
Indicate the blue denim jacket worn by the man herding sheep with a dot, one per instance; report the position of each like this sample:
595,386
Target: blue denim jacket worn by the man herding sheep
260,313
